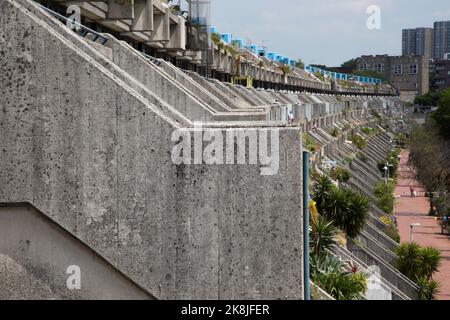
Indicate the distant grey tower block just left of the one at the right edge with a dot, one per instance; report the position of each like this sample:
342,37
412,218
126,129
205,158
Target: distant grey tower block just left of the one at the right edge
418,42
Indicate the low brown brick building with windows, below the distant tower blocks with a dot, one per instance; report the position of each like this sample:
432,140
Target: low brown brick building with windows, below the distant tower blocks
408,74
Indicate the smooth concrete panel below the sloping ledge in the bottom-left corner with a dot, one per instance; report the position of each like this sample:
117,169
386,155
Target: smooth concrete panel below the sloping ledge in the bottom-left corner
36,257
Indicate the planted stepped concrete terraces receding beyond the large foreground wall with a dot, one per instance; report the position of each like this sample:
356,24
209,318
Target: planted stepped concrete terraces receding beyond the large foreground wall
373,244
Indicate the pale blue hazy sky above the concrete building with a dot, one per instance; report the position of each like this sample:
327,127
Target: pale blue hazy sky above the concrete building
325,31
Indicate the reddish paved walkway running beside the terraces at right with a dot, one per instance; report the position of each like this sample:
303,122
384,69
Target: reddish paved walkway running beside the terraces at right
415,210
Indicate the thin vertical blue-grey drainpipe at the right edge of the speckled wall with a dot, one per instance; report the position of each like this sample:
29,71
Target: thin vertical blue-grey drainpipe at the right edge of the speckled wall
306,282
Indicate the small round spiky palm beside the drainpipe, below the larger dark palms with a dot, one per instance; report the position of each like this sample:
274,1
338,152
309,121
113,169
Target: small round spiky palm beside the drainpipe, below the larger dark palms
322,236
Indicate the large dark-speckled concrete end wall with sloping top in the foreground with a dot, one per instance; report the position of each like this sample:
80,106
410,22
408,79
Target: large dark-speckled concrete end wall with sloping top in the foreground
94,156
